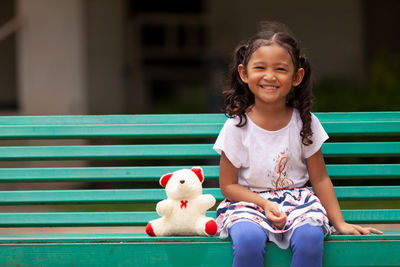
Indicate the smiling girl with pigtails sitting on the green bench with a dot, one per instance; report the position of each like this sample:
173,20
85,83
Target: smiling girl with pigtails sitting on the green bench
270,147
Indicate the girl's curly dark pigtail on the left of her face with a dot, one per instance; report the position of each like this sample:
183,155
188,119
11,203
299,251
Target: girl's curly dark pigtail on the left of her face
237,97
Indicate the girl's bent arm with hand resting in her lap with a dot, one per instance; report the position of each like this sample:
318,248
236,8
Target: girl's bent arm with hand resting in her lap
228,181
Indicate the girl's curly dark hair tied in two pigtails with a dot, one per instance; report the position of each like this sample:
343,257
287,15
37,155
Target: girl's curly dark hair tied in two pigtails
238,97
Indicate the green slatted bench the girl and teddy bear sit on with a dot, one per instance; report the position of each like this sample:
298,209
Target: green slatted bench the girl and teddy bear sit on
131,152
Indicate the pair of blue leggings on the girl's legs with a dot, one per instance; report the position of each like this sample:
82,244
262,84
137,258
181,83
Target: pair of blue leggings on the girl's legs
249,241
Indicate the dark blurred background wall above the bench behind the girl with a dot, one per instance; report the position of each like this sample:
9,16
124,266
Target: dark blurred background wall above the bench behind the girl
137,56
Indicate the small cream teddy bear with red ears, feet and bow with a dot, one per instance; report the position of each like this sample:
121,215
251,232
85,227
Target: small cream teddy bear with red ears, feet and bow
183,212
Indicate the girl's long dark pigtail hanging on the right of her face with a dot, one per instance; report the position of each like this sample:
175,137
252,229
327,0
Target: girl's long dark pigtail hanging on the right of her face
302,98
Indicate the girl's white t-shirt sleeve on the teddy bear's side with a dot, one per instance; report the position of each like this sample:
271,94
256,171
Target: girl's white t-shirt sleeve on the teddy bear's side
230,142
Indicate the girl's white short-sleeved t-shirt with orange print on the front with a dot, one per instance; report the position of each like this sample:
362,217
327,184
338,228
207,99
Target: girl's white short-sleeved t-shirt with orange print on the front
269,160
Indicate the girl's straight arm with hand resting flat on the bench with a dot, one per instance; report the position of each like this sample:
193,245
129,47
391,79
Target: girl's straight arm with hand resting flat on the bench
323,188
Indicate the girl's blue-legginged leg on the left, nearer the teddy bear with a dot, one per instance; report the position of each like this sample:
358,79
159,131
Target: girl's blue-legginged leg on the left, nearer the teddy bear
249,241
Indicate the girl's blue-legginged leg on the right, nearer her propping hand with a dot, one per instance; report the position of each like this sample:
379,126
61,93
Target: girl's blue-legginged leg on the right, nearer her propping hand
307,243
